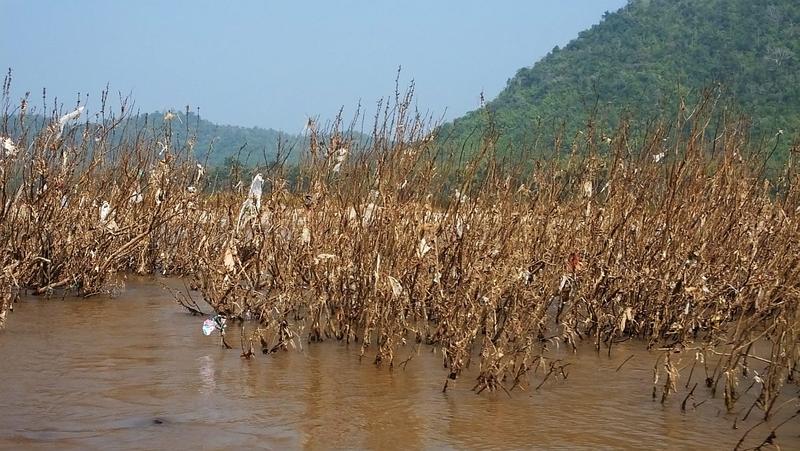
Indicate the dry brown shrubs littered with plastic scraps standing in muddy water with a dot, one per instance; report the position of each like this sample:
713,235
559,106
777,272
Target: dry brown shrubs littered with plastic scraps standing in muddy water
670,235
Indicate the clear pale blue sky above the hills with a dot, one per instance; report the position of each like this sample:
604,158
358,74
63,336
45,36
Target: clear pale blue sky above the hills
272,64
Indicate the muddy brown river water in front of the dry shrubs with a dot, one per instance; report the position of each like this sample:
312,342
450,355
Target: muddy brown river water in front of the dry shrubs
136,372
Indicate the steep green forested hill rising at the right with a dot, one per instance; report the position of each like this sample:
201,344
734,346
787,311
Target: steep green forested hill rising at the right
640,59
